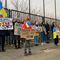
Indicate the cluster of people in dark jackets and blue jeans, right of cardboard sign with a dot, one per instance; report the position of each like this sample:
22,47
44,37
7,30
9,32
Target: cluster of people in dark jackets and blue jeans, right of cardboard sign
46,30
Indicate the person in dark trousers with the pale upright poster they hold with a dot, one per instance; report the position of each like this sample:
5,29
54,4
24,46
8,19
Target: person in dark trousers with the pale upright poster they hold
17,35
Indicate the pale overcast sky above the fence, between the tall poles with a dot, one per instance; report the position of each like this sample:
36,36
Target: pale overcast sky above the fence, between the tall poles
37,7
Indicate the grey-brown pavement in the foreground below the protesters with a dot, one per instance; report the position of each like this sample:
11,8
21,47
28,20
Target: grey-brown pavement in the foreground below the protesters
44,52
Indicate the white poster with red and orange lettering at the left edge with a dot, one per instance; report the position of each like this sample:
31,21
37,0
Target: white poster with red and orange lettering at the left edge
6,24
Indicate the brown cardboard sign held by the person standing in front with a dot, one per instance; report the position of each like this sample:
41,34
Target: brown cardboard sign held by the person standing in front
27,34
